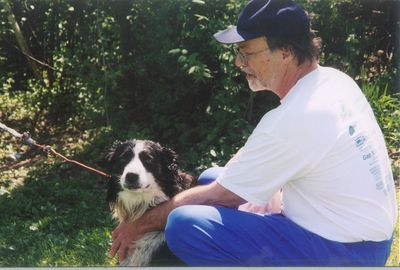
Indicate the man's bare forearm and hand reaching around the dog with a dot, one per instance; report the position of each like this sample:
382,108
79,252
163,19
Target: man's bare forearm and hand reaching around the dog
155,219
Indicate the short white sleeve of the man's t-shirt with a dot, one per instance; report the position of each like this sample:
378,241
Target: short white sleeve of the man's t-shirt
261,167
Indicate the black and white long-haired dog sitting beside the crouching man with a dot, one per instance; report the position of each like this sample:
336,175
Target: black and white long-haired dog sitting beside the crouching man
145,174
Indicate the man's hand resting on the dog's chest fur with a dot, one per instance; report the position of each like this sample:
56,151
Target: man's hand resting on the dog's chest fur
123,238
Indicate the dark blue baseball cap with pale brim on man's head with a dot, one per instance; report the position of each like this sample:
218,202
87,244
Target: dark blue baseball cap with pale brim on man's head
265,18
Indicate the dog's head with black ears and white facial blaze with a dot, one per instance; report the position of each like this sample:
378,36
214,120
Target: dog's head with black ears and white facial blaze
143,166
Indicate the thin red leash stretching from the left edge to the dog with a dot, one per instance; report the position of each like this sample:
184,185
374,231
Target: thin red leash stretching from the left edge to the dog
25,137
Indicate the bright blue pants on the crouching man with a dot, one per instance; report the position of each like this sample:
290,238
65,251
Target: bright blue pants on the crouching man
217,236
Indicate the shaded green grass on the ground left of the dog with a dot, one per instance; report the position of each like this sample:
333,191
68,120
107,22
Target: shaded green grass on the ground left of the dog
55,220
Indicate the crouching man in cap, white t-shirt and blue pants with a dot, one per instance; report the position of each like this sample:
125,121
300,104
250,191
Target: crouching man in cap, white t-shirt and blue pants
321,146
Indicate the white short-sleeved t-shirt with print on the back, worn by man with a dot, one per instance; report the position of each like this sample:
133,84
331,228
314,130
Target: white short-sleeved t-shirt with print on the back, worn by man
323,146
